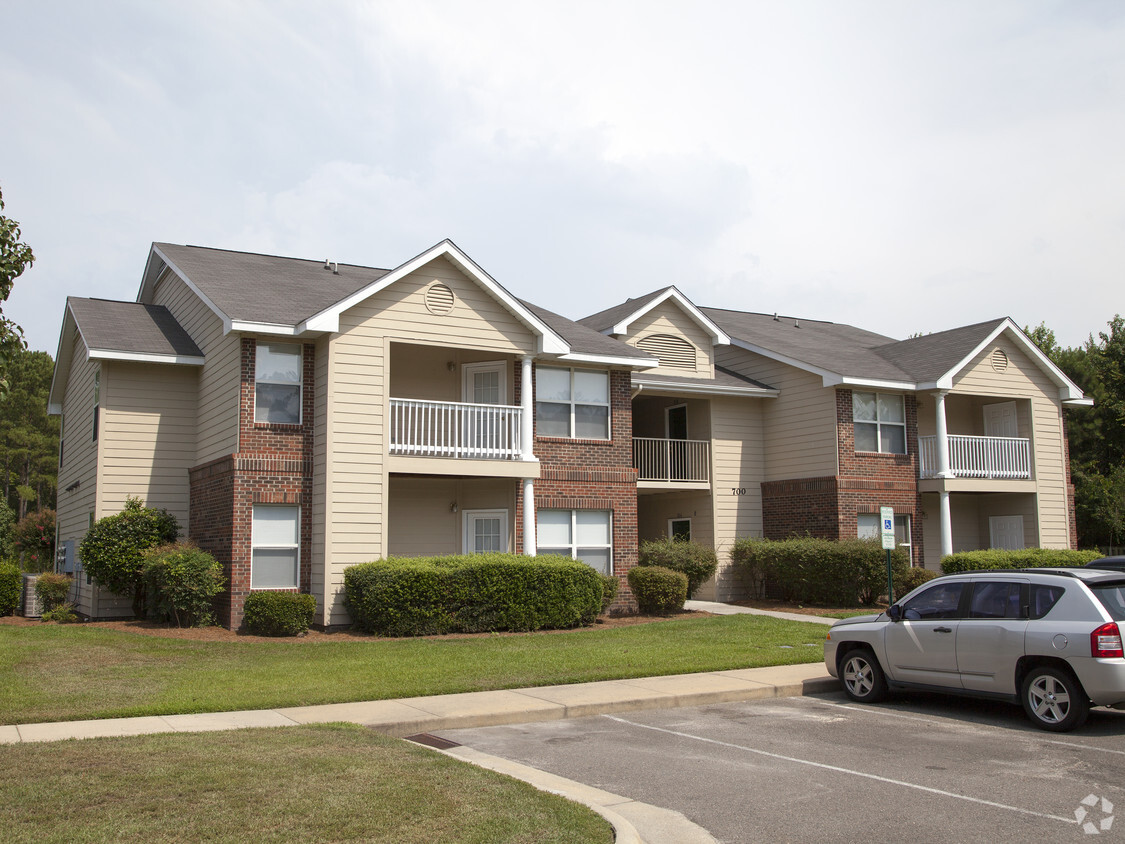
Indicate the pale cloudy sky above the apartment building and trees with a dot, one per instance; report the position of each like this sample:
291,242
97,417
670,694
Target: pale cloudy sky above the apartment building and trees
903,167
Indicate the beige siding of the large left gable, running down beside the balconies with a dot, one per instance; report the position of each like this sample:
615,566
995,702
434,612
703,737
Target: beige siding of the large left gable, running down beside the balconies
356,477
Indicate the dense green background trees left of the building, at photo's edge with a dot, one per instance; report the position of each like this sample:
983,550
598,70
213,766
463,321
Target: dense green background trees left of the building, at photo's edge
29,437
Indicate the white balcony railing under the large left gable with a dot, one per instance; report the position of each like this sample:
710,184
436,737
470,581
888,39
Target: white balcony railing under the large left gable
455,429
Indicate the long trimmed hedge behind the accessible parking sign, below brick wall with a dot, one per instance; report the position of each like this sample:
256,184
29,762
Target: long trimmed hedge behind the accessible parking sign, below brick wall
827,572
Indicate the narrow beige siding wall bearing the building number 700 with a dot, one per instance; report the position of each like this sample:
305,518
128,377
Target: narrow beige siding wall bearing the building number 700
739,470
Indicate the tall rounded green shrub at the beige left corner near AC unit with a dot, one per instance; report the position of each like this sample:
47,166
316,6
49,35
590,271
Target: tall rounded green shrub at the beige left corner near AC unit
113,551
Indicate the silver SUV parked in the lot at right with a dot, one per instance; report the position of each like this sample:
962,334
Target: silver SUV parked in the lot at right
1048,639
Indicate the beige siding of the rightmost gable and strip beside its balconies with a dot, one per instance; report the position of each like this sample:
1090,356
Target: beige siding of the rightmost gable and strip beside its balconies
1022,380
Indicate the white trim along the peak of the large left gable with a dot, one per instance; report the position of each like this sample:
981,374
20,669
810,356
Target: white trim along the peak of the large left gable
550,343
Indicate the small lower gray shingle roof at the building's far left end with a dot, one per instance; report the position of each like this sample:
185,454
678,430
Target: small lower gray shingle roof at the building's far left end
131,328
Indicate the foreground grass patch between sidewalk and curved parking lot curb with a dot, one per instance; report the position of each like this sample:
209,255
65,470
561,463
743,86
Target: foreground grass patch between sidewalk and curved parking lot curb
335,783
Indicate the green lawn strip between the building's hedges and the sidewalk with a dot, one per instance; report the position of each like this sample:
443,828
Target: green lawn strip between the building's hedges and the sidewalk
68,672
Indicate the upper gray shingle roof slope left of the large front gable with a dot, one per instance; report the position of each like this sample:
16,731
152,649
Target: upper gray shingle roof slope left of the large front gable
267,289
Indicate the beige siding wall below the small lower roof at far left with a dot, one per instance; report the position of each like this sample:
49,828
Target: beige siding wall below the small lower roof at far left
149,436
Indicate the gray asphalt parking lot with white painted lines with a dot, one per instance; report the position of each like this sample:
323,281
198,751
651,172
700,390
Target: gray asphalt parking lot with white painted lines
822,769
